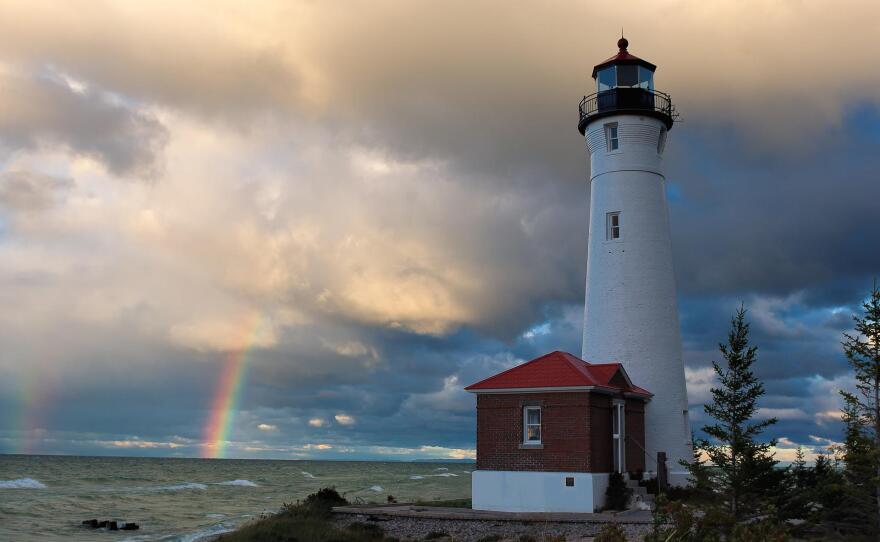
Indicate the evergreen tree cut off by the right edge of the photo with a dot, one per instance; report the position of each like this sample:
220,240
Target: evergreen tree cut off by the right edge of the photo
861,414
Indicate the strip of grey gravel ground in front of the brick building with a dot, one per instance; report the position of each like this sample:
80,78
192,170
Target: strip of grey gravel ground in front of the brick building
471,530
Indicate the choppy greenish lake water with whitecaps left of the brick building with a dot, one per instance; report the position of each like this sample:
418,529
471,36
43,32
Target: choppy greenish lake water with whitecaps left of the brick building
47,497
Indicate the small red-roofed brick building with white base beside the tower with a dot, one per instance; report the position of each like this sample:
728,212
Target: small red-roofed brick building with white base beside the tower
550,431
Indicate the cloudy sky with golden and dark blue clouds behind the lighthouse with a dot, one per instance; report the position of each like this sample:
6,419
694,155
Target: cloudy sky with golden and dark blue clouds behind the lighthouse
297,230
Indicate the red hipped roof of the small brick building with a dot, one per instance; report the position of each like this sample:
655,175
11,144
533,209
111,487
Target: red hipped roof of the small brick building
561,370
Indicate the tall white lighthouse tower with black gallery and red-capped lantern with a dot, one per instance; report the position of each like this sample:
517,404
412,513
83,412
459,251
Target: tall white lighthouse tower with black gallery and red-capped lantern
630,313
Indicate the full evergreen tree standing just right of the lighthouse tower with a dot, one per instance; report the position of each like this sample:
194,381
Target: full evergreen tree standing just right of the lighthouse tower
742,470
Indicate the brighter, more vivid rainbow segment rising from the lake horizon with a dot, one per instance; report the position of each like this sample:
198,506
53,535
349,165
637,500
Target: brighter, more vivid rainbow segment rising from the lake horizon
228,392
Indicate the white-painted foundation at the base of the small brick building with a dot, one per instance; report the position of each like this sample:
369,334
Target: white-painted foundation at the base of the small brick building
518,491
